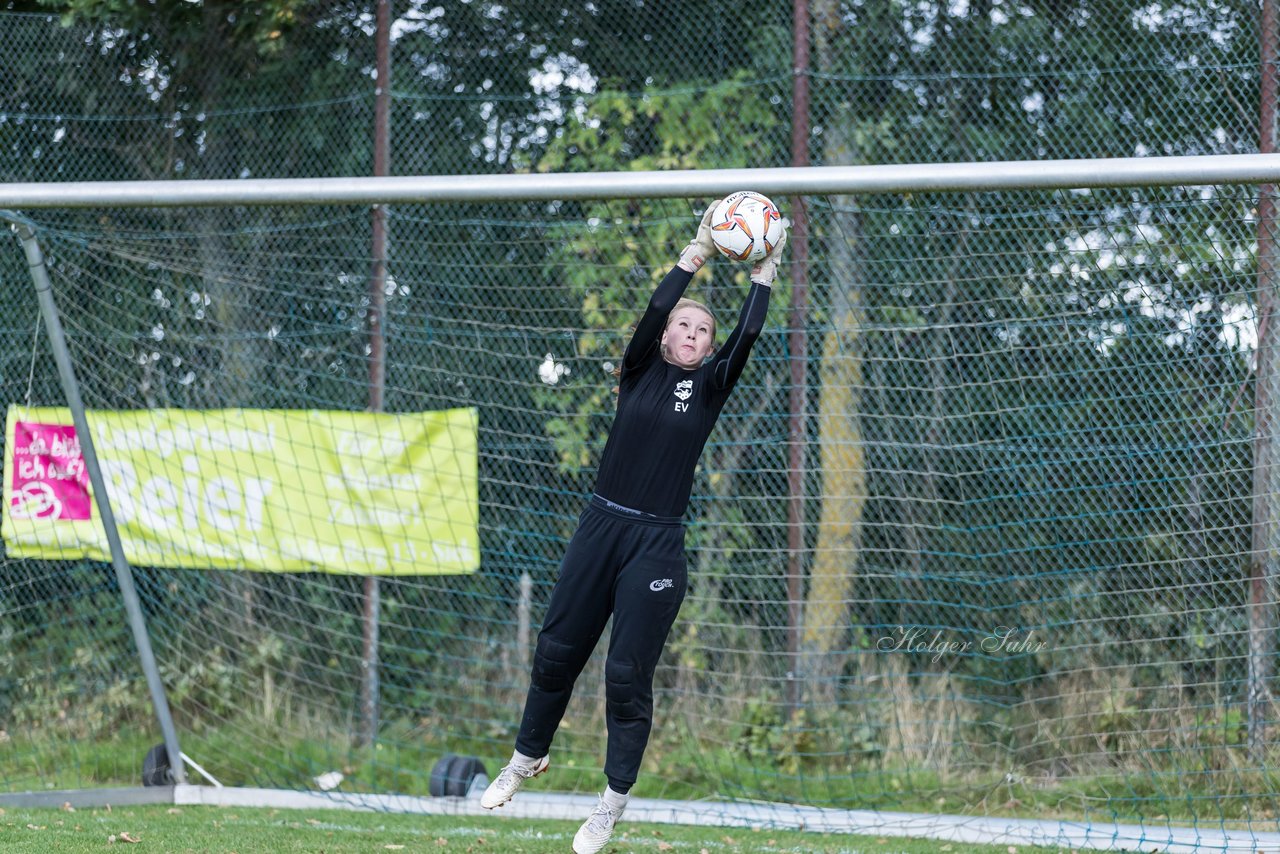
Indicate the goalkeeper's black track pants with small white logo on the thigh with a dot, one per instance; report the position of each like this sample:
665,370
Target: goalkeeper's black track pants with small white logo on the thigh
629,568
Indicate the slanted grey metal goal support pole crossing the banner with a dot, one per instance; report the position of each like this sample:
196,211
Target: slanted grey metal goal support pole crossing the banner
124,573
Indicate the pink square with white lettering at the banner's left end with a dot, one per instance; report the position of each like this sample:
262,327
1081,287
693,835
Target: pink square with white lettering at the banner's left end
49,478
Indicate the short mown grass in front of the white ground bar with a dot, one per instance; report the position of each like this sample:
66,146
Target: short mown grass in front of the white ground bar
249,832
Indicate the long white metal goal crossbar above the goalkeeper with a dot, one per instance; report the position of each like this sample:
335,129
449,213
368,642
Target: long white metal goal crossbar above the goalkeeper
949,177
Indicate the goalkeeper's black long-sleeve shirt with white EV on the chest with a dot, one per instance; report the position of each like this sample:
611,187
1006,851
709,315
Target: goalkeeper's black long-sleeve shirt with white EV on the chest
666,413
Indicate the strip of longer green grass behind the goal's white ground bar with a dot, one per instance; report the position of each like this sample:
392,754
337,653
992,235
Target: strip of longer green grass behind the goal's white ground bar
403,765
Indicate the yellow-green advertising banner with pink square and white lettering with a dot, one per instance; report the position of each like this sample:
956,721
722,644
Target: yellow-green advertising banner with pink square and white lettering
275,491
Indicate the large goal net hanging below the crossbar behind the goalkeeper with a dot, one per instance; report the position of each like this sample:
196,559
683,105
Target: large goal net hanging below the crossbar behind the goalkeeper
986,529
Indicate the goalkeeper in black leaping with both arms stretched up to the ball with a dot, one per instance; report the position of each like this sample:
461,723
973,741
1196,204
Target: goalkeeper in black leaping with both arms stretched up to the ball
628,556
